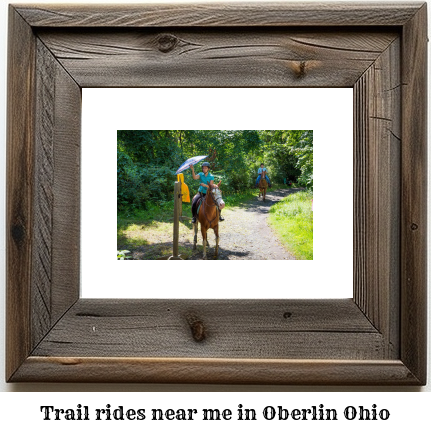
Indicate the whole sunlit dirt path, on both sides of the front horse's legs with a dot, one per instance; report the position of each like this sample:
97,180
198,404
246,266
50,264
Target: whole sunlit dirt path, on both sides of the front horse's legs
244,235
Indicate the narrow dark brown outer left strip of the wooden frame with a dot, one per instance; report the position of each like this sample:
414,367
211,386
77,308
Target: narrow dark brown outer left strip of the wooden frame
19,200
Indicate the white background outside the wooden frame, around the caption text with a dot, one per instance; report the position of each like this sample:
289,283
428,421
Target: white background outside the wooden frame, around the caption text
407,408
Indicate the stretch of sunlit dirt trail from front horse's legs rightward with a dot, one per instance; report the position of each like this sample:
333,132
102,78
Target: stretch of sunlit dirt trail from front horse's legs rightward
245,233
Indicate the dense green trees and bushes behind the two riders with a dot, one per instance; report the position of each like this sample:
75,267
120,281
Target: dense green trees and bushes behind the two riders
147,161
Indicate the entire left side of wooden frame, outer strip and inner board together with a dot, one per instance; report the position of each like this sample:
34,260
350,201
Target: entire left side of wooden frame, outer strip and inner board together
43,155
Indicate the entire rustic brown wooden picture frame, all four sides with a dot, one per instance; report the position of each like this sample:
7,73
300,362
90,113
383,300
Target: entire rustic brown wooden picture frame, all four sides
378,337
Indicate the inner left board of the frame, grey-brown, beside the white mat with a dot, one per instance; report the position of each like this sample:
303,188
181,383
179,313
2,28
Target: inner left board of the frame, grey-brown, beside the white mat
55,279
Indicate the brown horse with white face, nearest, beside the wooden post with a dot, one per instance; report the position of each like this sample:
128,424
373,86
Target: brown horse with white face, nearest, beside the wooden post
208,217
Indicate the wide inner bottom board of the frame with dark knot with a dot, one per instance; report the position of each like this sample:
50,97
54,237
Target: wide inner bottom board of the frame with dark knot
234,329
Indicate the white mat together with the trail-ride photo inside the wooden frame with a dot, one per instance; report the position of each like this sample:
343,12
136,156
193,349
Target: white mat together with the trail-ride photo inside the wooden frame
112,119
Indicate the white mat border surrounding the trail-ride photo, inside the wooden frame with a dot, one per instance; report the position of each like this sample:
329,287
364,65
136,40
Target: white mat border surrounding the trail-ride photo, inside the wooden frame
329,112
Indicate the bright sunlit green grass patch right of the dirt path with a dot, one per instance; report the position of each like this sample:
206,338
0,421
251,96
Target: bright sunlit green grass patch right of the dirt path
292,220
